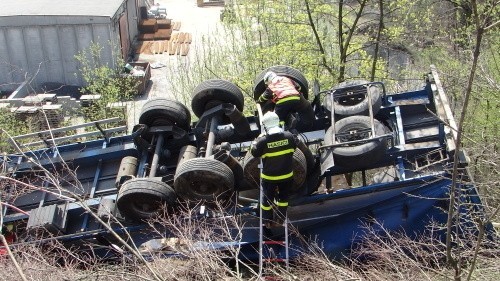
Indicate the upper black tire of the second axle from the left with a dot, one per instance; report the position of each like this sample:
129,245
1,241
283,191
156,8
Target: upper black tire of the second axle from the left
213,92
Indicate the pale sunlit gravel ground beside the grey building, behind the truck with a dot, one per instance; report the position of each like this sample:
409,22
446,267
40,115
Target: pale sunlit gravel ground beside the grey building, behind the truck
199,21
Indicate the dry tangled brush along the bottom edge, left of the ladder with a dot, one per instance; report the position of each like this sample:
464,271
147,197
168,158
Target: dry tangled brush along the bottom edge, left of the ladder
188,256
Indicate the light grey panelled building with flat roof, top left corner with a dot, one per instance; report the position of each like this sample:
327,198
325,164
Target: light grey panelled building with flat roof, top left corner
40,38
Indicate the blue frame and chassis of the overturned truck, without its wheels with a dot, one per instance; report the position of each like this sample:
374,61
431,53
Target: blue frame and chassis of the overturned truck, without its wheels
421,145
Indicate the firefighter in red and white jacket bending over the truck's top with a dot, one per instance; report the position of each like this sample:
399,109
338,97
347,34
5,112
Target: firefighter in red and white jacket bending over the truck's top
284,93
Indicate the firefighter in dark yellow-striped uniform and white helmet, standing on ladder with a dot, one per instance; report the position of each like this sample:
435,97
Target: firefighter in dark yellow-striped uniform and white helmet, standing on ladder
276,148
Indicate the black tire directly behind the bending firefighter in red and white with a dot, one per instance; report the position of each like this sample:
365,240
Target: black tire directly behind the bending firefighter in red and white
292,73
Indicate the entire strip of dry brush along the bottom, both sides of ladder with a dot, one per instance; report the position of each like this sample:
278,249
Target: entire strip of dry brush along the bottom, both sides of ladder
191,256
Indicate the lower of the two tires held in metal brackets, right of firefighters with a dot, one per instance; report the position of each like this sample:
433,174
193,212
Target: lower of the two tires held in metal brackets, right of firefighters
362,155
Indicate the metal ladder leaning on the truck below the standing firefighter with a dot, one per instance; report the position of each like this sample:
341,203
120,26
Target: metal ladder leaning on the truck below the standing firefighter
272,258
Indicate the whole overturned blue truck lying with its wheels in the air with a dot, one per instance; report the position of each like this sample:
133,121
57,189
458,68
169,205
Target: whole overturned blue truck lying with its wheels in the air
400,146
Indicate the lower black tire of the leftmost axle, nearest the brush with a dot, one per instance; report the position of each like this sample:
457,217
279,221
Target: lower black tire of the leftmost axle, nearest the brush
142,198
